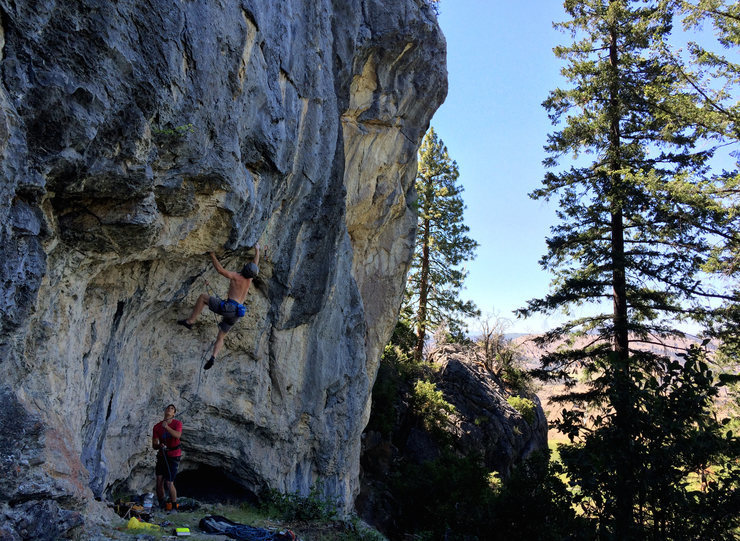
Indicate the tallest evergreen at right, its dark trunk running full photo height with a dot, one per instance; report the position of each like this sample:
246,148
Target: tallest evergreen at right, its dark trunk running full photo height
625,247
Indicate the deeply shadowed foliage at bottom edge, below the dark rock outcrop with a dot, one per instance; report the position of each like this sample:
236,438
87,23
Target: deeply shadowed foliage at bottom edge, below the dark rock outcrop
453,498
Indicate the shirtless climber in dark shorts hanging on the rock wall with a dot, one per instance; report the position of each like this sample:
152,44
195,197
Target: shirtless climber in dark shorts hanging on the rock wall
232,308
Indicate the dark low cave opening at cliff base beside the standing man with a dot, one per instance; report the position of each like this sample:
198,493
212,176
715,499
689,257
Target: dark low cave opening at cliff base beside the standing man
211,485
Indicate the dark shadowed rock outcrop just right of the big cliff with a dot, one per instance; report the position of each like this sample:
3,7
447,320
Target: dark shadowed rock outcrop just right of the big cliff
482,426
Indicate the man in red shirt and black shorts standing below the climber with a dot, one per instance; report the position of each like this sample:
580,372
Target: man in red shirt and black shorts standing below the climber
166,439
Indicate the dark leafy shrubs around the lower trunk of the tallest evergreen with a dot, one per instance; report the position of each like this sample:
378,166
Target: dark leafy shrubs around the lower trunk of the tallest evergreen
674,435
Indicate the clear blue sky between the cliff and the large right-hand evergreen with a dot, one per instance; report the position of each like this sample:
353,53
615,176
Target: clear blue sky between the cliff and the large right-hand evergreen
501,68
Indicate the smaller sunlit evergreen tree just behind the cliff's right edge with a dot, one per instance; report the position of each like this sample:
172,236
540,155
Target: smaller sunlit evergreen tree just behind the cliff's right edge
442,246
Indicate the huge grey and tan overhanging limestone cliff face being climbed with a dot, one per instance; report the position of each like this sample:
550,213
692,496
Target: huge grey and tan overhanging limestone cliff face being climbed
135,137
